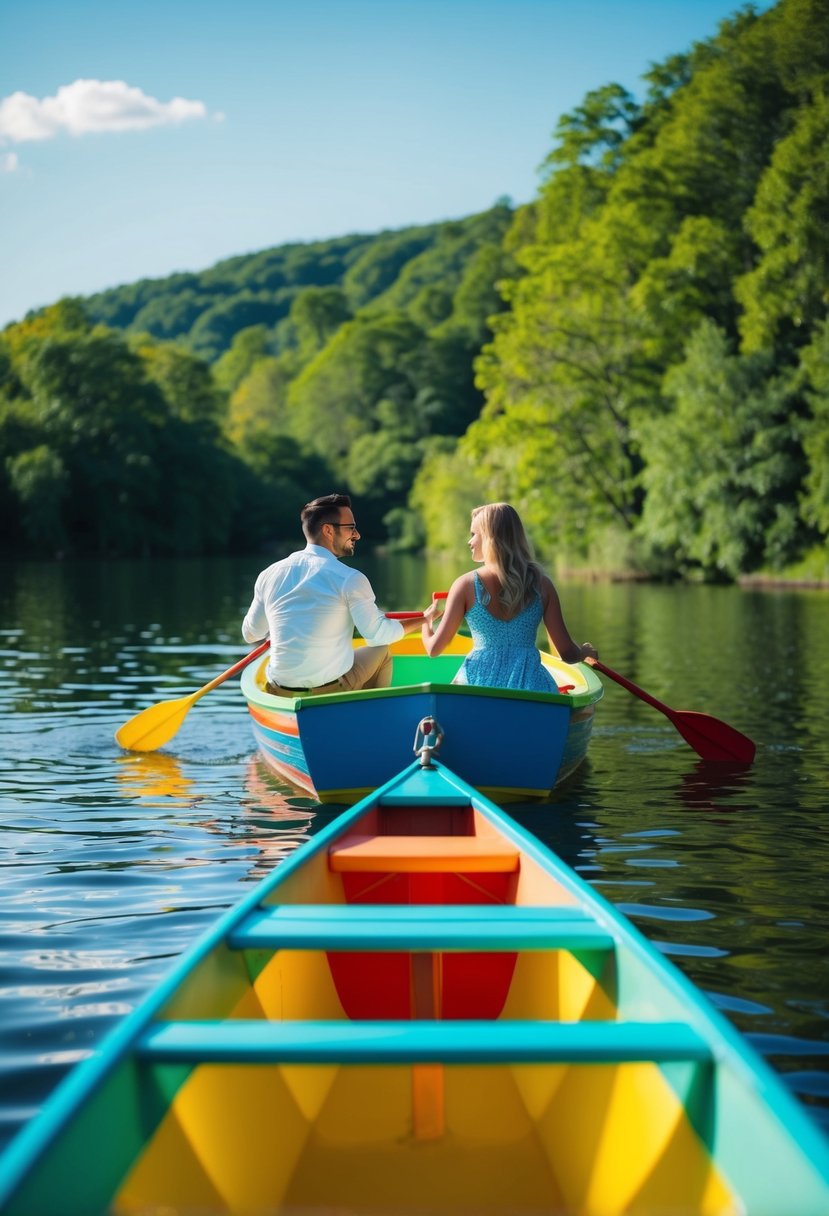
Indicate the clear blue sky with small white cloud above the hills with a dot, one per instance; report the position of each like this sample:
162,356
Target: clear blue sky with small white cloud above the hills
151,137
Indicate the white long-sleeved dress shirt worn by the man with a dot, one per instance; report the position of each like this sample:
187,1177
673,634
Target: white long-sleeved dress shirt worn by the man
309,604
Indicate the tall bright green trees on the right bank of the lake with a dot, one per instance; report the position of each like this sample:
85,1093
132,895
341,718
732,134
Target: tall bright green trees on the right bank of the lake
659,378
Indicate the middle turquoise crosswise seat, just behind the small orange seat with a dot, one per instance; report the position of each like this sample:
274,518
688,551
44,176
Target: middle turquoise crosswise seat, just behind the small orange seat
419,927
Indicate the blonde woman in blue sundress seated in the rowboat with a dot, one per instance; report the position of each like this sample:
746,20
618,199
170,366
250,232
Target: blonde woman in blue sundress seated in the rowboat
504,603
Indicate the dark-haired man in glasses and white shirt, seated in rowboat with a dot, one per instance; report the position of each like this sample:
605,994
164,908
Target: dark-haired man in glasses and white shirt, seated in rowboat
311,603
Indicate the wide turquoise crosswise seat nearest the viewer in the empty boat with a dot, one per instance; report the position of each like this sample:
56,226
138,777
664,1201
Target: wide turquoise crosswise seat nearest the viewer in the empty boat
415,1043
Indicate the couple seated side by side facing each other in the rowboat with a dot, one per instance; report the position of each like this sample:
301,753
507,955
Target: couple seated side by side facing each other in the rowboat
311,604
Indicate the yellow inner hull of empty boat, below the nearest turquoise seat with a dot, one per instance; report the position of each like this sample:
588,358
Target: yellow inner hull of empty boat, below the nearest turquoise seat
501,1139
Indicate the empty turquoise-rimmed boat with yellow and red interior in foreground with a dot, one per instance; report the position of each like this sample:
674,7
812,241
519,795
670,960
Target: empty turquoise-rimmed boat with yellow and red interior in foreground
422,1011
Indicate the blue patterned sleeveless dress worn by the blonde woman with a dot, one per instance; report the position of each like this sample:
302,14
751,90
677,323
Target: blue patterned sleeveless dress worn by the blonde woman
505,654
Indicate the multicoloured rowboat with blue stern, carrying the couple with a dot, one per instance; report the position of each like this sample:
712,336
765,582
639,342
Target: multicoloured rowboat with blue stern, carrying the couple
511,746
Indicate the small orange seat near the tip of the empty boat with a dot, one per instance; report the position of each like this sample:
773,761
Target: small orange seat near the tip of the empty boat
422,854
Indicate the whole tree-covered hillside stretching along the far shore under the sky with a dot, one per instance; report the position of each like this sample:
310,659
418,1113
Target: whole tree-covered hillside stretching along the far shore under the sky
639,359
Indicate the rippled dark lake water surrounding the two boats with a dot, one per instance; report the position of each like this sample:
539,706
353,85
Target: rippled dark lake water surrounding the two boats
114,864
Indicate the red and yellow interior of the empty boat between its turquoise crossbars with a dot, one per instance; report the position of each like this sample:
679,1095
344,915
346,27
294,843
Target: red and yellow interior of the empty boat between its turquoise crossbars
394,1139
